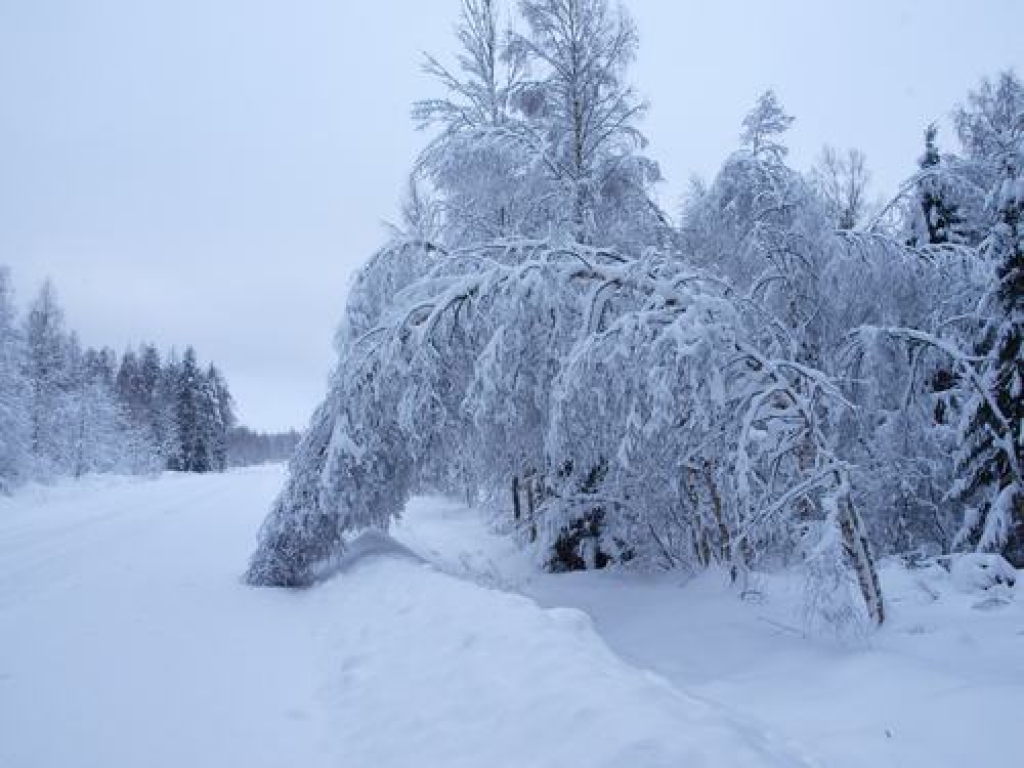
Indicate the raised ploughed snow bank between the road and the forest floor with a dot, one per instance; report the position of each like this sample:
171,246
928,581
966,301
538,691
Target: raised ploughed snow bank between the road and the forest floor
430,670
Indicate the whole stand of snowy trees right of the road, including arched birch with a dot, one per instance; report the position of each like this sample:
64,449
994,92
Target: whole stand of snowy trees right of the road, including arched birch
777,383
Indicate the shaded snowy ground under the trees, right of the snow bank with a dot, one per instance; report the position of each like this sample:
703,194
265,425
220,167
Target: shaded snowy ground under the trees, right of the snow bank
943,685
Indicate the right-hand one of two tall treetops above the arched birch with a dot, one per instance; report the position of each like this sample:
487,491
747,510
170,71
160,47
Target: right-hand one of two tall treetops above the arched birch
583,117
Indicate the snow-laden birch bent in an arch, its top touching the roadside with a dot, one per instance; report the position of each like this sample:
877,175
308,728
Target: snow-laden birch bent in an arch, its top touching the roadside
479,365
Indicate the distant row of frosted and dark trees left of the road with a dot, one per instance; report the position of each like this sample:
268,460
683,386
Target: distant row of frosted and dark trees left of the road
68,410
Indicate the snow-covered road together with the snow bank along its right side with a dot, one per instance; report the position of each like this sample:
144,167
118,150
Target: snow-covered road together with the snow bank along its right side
126,639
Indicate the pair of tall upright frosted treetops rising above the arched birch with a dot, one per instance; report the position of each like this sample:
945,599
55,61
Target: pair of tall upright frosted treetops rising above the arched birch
537,132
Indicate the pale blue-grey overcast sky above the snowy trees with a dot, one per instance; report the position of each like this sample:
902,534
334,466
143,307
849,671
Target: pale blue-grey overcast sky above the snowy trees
212,172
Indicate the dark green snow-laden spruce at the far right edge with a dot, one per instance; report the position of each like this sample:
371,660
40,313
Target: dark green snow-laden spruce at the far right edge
993,431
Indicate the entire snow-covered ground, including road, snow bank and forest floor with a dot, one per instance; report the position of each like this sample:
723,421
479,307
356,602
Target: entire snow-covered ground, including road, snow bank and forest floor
126,639
